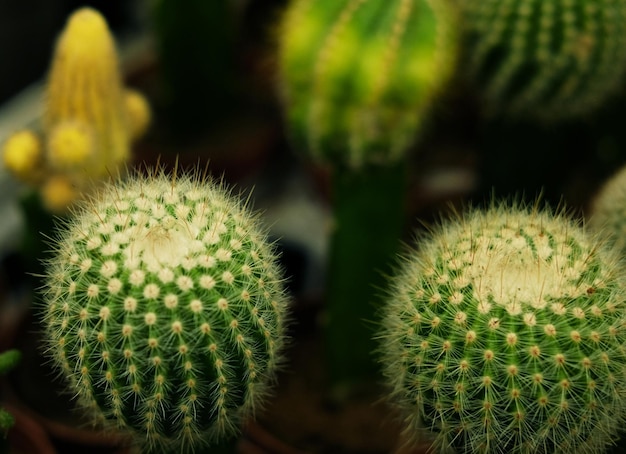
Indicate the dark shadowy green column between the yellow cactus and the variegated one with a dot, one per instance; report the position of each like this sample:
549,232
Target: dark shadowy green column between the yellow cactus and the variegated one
195,41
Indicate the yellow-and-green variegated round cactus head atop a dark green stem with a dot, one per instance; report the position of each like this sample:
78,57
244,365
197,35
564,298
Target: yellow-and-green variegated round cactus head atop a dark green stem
358,76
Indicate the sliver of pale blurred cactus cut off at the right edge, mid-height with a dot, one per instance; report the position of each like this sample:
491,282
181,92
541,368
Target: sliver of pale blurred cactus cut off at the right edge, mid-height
608,210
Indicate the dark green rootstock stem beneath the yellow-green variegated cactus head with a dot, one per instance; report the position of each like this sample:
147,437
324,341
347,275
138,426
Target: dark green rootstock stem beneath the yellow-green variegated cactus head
369,208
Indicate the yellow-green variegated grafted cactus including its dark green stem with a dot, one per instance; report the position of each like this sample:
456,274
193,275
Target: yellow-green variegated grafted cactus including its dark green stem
358,78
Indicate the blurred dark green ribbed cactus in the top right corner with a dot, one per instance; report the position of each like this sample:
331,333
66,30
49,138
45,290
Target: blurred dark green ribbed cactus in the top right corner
537,58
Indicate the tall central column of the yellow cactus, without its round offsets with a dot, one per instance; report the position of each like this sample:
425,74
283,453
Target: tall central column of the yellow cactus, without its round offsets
85,88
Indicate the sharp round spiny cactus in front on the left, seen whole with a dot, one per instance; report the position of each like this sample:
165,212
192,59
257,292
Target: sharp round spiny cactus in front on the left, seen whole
165,309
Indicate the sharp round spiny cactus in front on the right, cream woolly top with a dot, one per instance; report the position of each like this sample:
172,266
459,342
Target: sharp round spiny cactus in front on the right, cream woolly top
505,333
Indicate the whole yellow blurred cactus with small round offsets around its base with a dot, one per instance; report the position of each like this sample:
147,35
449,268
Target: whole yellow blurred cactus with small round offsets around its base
89,118
